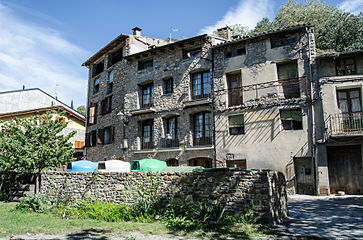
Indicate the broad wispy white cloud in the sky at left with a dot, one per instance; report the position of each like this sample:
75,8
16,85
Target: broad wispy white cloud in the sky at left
40,57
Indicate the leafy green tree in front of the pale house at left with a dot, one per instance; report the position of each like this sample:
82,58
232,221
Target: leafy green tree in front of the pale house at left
29,145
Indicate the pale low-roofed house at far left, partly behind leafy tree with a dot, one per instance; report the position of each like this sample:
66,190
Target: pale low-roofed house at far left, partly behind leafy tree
28,102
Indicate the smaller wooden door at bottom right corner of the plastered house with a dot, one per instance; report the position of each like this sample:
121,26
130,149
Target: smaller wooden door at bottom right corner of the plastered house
304,176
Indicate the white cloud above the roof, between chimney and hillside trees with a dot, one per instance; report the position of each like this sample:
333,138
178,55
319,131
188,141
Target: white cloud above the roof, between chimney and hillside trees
247,13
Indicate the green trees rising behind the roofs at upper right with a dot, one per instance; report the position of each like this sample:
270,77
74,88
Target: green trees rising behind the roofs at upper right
334,28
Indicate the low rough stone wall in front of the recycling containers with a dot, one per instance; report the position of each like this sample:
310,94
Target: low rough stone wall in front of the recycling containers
239,191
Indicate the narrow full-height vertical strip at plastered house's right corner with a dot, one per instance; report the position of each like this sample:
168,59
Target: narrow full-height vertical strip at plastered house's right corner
312,118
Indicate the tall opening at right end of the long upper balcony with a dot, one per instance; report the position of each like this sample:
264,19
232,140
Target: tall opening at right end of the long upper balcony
288,78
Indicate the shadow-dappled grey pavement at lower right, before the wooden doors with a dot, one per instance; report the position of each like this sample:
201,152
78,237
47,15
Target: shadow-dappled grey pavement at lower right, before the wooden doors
332,217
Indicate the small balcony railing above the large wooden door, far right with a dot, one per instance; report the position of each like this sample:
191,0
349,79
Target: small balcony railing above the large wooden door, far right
346,124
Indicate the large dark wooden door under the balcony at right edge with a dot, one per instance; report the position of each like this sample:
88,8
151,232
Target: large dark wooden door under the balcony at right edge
345,169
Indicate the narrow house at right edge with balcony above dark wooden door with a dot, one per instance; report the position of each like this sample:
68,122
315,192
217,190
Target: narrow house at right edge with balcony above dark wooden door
338,117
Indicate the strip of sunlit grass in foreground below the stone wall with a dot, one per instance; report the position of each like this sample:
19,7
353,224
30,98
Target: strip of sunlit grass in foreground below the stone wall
15,222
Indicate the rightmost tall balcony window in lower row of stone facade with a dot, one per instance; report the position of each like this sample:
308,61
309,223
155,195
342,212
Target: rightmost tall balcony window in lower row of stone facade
203,128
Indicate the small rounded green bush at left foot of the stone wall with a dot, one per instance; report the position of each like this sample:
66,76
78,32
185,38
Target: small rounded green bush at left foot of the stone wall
35,203
